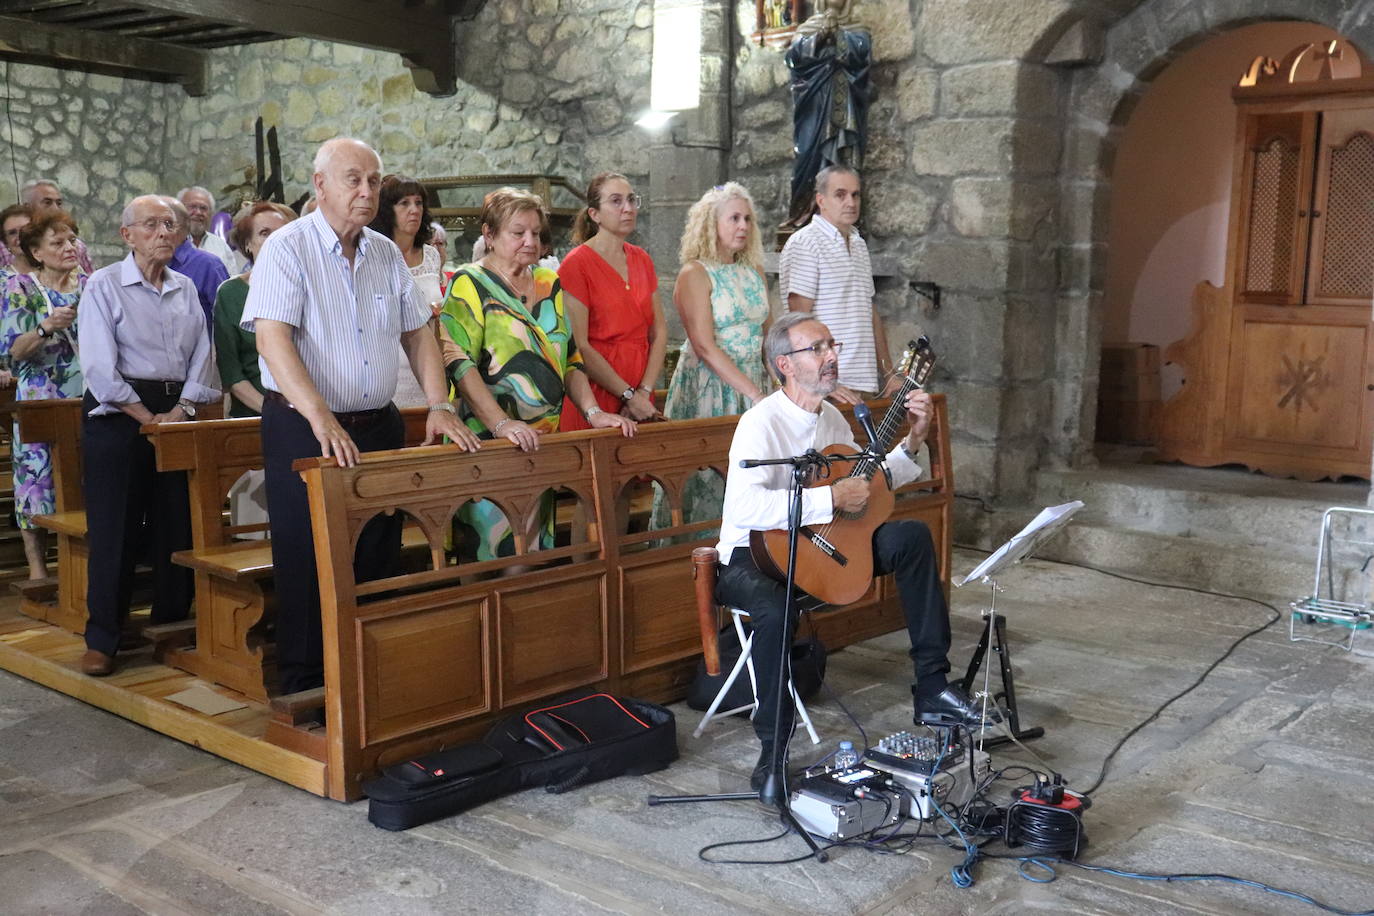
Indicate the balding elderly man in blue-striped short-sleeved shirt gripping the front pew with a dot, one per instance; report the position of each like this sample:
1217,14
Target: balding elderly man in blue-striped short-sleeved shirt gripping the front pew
329,301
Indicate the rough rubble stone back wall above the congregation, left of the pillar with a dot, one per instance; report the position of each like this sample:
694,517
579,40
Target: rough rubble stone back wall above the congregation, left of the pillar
545,87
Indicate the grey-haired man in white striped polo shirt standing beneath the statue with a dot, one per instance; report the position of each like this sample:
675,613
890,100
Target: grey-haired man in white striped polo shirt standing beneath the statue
825,270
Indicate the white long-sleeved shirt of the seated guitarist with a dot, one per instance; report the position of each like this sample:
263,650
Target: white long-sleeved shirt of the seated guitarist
756,499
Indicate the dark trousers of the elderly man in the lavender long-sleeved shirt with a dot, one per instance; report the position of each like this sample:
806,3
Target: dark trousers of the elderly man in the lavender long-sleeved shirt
133,510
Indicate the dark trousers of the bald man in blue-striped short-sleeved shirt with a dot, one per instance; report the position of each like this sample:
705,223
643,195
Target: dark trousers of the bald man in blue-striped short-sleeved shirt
286,436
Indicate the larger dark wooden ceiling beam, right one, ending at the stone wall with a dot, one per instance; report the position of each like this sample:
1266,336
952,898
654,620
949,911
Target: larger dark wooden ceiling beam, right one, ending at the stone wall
421,34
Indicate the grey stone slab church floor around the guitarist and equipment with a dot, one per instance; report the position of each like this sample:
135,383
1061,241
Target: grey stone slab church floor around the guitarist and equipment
1261,772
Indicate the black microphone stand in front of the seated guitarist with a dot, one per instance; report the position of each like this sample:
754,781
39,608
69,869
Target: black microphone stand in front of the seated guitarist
776,788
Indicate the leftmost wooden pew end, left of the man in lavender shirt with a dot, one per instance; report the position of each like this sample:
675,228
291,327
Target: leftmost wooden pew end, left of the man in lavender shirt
58,425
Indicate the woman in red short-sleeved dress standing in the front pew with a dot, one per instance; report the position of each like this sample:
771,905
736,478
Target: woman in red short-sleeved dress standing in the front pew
611,292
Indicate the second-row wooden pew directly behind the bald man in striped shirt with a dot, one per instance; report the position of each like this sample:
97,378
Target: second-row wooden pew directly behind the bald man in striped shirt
234,591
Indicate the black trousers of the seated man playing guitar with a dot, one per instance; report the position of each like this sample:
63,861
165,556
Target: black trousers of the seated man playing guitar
903,549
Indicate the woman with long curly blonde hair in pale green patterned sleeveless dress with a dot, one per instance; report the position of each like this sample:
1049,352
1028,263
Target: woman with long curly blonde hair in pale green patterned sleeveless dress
722,299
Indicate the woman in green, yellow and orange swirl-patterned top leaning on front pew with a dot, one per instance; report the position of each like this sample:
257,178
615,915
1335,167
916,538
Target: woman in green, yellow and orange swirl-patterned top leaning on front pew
510,354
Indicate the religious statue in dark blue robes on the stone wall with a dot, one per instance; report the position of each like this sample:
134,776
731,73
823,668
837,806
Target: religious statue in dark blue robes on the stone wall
831,93
